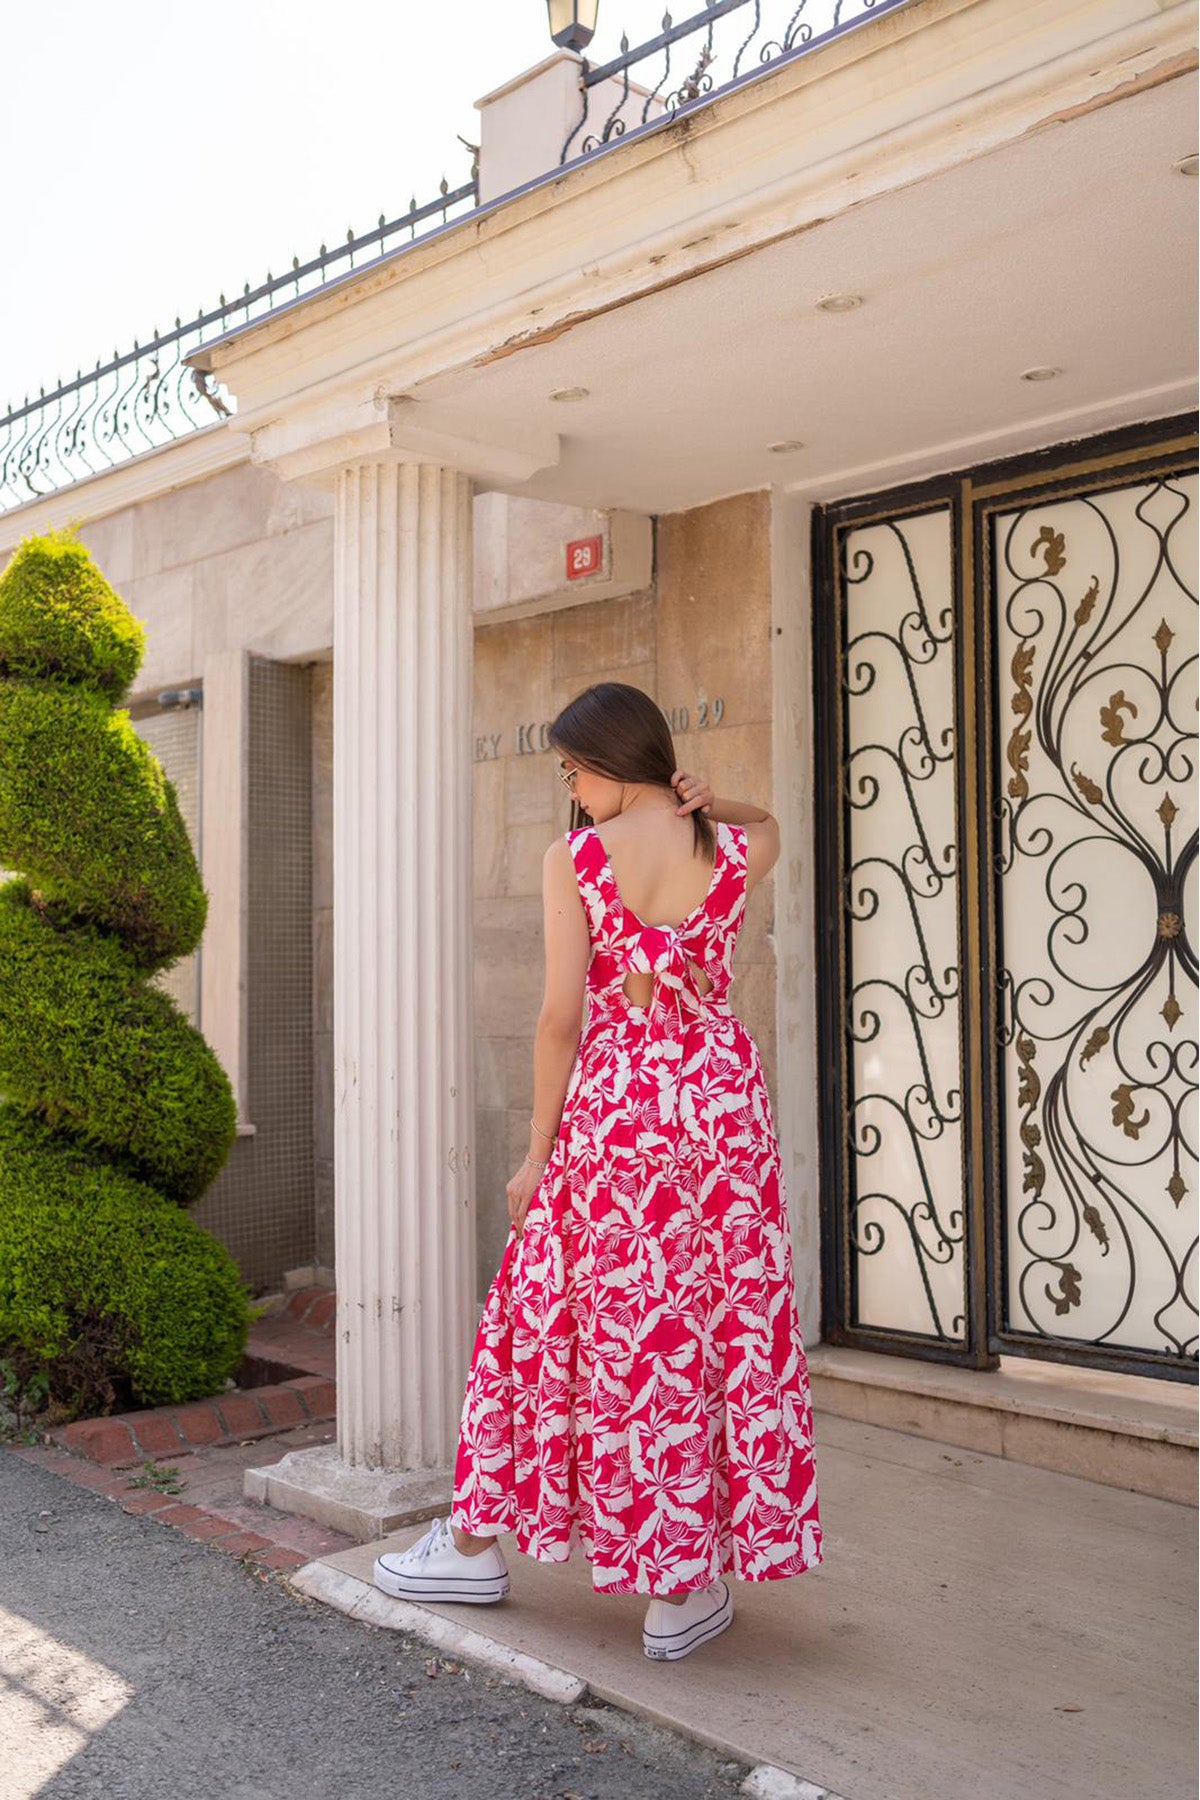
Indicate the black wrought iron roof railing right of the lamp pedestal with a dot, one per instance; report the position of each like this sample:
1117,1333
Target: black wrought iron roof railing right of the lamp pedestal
724,44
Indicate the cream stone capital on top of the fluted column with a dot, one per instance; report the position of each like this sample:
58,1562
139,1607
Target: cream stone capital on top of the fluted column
316,440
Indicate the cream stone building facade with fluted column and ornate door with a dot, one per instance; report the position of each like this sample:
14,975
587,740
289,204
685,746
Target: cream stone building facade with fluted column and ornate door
866,384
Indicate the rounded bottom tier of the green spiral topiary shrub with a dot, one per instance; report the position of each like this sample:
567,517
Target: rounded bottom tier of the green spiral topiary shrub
111,1291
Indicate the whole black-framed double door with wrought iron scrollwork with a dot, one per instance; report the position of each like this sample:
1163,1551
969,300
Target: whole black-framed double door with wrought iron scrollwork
1007,769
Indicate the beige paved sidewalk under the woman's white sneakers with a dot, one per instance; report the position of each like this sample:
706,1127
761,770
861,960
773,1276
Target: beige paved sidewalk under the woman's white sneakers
978,1626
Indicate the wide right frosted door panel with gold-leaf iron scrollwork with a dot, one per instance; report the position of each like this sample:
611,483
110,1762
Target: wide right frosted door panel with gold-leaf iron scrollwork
1097,660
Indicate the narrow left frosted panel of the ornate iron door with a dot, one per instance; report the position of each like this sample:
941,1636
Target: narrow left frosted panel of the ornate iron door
906,1104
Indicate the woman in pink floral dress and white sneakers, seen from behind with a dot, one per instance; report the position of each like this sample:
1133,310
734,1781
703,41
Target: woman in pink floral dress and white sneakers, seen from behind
640,1380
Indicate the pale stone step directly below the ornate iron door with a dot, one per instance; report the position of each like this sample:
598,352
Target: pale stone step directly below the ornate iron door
1131,1432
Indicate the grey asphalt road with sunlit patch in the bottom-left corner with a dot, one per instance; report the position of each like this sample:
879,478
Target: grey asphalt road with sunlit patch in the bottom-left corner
139,1664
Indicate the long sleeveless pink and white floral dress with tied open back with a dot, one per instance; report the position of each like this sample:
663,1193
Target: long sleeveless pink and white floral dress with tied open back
640,1378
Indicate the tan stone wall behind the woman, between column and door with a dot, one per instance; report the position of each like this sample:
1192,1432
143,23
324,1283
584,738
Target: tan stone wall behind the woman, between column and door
699,642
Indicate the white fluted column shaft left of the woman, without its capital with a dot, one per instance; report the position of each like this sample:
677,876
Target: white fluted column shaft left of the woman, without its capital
402,1014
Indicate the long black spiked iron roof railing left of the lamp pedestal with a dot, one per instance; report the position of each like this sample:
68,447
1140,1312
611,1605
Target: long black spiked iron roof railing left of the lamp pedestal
148,397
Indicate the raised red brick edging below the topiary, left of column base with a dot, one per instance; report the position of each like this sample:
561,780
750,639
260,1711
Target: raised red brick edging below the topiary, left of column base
202,1425
